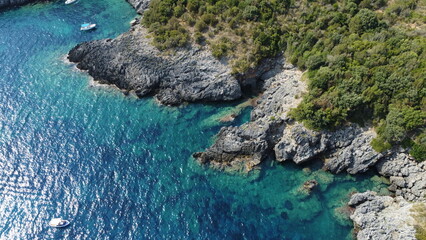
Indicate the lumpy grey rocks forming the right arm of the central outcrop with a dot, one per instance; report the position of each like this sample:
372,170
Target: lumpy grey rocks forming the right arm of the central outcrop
347,149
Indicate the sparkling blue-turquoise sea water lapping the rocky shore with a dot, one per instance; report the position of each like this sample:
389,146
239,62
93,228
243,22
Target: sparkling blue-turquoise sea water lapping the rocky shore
119,167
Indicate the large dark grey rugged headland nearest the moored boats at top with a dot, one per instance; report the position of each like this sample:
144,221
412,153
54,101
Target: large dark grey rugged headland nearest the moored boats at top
131,62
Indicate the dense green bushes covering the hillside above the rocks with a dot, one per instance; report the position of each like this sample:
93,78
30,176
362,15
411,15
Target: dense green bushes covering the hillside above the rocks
365,59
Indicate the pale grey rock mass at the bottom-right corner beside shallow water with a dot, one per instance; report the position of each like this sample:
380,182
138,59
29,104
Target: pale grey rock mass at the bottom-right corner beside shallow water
382,217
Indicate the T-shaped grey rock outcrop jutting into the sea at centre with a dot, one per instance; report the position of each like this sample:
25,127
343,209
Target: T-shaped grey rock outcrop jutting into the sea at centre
271,132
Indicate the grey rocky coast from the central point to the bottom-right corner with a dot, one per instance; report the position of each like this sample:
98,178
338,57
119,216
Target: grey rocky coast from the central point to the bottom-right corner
270,133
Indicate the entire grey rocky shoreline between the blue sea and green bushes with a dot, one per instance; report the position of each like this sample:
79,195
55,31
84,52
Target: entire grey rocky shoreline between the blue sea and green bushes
130,62
